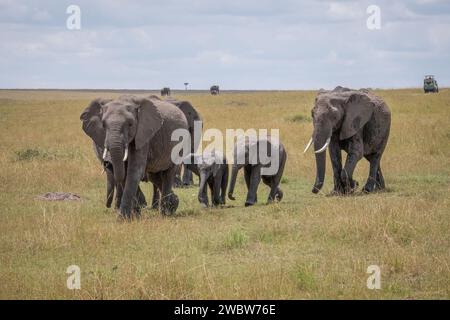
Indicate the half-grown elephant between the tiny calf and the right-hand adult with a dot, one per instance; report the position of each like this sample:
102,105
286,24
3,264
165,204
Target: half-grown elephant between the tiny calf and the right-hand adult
253,169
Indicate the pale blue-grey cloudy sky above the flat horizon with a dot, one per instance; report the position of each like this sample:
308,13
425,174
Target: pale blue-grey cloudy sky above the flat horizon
239,45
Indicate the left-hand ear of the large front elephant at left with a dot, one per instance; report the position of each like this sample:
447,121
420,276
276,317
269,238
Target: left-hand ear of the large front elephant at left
92,121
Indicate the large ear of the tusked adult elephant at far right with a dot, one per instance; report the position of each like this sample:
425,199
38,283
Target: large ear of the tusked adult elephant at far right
358,111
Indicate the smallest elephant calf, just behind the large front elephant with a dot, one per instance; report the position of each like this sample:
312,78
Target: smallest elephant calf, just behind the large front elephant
212,169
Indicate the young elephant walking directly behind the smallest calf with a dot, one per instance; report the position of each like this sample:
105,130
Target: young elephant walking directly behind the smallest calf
253,176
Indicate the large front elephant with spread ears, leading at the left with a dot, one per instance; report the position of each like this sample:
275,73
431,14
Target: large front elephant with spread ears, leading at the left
144,126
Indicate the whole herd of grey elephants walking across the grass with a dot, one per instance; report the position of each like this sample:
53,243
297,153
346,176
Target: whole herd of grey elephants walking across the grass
132,138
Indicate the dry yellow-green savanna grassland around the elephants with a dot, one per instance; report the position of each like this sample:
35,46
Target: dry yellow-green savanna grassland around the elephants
307,246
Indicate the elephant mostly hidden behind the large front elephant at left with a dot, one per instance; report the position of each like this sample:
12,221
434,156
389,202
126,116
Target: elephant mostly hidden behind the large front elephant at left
191,115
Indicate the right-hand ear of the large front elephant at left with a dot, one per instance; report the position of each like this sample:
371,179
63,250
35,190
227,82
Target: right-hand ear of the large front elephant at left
149,121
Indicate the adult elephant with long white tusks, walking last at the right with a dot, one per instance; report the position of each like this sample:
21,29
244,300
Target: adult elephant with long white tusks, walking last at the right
356,121
